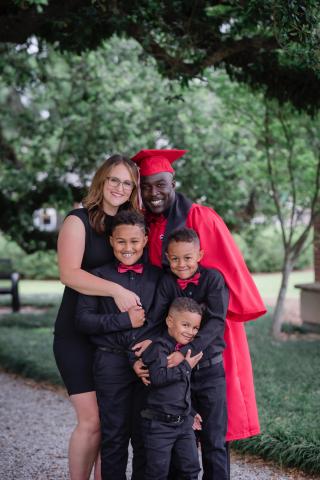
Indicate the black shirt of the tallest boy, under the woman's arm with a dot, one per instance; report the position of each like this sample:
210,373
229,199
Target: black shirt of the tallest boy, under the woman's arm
100,317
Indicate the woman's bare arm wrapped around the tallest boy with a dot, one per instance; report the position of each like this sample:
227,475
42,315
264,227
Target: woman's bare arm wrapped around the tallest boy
71,245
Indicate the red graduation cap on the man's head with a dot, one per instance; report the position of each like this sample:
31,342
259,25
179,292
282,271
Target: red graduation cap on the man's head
151,162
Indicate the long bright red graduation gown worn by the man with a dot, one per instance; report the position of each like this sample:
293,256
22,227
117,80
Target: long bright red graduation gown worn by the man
221,252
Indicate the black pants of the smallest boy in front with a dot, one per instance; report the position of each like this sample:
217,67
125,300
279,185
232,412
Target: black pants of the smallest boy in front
164,441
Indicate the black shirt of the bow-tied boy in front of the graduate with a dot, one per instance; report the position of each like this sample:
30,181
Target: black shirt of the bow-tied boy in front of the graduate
213,294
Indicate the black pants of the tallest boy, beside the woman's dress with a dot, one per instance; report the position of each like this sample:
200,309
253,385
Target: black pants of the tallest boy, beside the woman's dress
120,395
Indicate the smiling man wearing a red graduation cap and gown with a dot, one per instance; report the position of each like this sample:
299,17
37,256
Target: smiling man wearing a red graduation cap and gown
167,210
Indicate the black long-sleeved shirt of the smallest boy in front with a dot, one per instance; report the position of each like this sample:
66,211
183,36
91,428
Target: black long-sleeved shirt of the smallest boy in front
169,391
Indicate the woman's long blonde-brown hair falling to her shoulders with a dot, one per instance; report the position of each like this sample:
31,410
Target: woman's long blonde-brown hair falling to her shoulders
94,199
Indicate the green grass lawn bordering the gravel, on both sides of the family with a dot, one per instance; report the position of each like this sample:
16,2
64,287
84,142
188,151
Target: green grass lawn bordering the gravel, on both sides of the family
286,379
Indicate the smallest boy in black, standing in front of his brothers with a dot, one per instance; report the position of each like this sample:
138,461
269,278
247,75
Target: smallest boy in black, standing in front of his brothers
167,423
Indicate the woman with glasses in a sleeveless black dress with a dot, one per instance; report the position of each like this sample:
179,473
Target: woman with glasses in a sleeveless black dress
82,245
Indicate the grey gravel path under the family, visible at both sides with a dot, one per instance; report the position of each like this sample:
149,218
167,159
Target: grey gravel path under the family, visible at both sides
35,424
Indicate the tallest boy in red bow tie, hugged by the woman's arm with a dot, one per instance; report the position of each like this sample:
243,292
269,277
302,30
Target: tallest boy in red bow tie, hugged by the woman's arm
120,393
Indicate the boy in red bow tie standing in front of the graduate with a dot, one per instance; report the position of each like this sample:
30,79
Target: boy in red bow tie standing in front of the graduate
188,279
